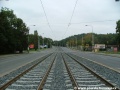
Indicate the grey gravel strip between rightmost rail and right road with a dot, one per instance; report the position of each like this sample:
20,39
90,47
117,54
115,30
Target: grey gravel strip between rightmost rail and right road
108,74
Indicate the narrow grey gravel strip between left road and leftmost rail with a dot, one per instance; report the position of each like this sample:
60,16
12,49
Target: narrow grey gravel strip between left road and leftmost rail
13,74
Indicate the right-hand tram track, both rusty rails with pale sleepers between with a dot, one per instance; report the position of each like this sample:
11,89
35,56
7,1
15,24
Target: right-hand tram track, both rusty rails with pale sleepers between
83,77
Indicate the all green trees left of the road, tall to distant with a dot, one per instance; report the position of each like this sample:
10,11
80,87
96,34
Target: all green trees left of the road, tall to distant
14,34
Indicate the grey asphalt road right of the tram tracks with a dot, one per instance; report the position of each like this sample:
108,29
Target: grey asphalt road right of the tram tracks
112,61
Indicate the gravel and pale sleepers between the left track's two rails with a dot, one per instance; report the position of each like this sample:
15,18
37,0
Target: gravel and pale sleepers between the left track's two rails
32,79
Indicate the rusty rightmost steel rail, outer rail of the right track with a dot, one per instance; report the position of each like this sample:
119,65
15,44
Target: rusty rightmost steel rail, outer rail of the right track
107,83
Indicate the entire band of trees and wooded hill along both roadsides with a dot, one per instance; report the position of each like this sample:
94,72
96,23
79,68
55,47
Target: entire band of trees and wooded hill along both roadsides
14,36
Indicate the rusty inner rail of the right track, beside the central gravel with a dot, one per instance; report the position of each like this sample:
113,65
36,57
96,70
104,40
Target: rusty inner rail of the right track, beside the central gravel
75,85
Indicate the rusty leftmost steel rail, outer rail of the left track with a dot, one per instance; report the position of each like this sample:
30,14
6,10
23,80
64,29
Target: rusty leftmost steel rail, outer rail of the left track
4,86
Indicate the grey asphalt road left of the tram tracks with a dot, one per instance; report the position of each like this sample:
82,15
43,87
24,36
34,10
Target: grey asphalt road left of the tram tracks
12,62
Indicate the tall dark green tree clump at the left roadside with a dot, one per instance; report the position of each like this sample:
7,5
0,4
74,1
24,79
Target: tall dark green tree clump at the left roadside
13,32
